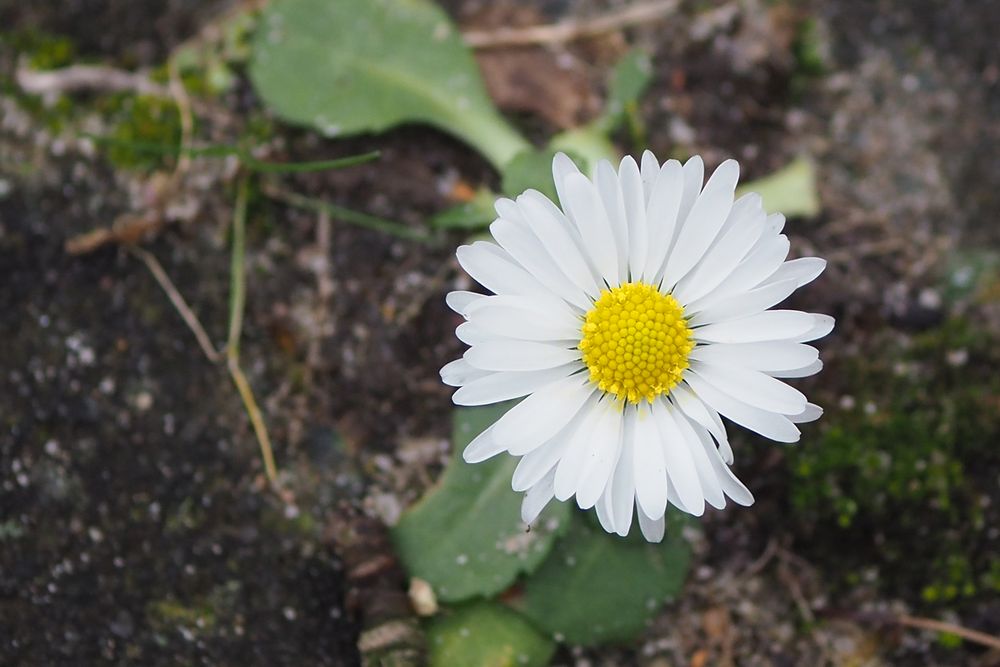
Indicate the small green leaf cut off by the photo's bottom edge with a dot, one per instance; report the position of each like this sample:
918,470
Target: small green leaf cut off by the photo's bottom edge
487,634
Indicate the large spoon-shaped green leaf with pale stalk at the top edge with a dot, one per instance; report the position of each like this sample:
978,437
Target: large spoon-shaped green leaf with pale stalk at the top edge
345,67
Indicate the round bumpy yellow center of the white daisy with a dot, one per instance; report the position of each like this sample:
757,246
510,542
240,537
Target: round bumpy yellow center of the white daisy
636,342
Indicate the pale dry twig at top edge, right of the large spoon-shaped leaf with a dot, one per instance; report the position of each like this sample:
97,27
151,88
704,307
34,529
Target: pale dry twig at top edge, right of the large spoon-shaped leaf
573,29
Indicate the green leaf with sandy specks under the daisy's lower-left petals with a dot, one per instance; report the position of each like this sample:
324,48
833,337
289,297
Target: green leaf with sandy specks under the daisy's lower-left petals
466,537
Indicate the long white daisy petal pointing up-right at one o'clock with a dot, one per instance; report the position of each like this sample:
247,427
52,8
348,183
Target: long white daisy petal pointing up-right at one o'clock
703,223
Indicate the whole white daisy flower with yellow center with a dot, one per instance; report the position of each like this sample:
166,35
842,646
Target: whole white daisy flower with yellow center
631,320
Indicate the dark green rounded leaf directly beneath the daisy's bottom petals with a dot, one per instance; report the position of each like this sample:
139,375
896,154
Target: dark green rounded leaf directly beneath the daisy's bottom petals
597,588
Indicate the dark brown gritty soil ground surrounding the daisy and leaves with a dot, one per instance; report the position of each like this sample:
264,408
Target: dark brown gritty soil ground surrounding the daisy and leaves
136,524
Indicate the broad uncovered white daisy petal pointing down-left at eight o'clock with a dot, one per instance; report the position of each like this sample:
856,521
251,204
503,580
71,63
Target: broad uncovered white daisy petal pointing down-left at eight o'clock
541,415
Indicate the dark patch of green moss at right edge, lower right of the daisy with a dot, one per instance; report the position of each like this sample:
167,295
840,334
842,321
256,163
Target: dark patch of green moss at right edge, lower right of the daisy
898,479
